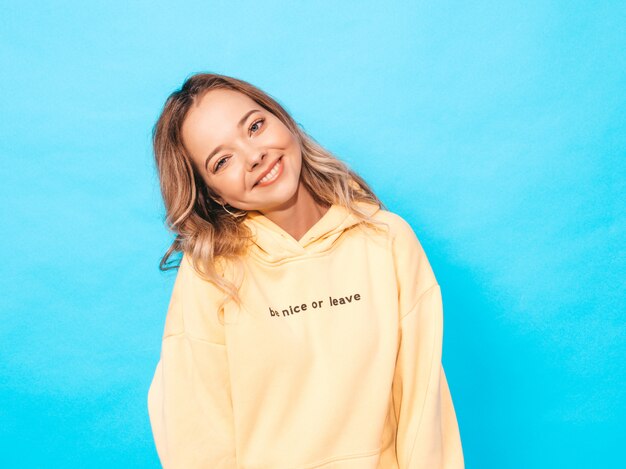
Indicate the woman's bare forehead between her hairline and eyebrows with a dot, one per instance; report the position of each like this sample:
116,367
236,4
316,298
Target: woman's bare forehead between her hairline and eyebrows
213,117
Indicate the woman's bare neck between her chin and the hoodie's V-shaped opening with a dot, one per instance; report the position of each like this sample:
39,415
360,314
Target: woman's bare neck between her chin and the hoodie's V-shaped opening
299,215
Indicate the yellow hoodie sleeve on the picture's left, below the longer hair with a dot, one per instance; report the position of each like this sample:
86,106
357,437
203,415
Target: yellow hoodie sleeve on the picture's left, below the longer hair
189,399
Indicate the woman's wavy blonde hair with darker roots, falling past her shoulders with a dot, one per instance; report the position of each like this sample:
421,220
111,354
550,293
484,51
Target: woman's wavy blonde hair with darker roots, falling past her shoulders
204,230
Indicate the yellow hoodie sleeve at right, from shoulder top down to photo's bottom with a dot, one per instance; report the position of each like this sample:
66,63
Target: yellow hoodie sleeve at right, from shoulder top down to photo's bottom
427,434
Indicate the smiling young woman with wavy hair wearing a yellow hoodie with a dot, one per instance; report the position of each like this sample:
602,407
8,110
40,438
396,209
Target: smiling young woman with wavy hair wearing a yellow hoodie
305,324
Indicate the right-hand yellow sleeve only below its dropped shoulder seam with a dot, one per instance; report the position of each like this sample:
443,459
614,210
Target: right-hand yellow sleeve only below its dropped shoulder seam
428,435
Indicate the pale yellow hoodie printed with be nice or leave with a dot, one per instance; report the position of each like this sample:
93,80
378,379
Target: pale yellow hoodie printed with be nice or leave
333,361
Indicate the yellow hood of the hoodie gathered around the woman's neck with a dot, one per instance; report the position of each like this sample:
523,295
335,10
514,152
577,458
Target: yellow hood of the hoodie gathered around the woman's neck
272,244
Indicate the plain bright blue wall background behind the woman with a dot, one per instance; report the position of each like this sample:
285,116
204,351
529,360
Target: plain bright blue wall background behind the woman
496,128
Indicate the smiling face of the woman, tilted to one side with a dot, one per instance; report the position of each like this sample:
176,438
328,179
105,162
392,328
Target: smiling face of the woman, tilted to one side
244,153
